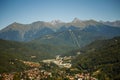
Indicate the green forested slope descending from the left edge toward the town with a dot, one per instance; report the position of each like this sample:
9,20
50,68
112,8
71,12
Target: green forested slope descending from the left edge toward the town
11,52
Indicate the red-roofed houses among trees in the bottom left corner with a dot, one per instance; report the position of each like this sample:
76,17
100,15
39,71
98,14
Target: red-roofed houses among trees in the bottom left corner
32,74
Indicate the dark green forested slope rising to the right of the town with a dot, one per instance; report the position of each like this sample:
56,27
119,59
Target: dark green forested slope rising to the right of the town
101,58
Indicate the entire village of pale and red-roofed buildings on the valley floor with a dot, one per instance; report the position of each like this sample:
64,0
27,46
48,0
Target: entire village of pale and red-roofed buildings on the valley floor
50,69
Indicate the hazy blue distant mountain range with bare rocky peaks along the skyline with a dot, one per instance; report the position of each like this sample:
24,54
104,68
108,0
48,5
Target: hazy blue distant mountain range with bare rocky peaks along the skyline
88,31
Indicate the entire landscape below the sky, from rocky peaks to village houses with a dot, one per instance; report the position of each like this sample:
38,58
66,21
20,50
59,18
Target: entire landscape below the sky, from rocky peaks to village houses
77,50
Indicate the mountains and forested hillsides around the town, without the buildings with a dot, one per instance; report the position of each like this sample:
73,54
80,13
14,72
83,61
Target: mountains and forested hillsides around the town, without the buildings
99,51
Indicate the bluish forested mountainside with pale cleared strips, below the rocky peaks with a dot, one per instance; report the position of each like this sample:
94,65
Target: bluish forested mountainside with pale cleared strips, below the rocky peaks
73,36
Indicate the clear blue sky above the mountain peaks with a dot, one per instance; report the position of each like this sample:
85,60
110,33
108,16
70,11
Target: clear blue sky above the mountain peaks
28,11
